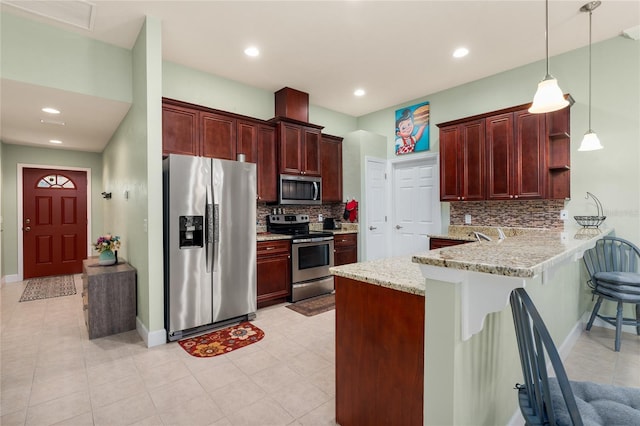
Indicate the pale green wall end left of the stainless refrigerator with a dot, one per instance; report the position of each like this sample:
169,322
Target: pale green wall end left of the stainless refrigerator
133,164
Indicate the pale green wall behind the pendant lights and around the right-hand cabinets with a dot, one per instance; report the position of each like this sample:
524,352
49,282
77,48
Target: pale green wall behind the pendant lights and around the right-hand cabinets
612,174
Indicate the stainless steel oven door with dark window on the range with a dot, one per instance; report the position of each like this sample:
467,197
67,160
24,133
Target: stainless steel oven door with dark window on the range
311,260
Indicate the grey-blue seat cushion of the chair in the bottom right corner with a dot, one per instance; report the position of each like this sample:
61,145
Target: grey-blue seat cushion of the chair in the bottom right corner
599,404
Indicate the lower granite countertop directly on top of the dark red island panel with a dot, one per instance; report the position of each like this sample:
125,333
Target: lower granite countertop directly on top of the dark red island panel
396,273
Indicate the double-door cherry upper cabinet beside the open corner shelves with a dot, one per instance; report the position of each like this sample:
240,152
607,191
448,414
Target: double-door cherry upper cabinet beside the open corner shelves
515,146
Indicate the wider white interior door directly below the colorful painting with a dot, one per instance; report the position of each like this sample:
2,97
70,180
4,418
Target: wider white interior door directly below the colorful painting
416,208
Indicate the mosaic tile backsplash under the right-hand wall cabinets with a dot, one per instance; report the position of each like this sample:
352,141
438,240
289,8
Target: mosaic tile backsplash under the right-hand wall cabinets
520,213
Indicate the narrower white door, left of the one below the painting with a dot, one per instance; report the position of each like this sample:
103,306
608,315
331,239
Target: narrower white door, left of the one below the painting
375,226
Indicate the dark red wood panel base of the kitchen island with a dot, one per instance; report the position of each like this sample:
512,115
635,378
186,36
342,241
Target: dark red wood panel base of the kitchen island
379,355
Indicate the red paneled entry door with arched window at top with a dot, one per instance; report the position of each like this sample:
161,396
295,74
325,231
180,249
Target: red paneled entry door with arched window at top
54,223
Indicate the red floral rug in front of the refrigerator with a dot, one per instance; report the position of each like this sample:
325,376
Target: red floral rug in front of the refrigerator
222,341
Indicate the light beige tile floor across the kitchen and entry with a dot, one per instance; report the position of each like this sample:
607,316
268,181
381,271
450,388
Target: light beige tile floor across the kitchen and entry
53,374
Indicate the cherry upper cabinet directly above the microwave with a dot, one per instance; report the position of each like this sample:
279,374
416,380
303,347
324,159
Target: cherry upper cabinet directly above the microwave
299,148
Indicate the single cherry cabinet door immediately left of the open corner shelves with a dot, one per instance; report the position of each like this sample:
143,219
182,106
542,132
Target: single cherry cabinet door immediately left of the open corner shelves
529,156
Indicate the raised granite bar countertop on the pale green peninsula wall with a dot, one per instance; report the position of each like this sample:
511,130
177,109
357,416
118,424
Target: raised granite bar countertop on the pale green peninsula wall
524,255
